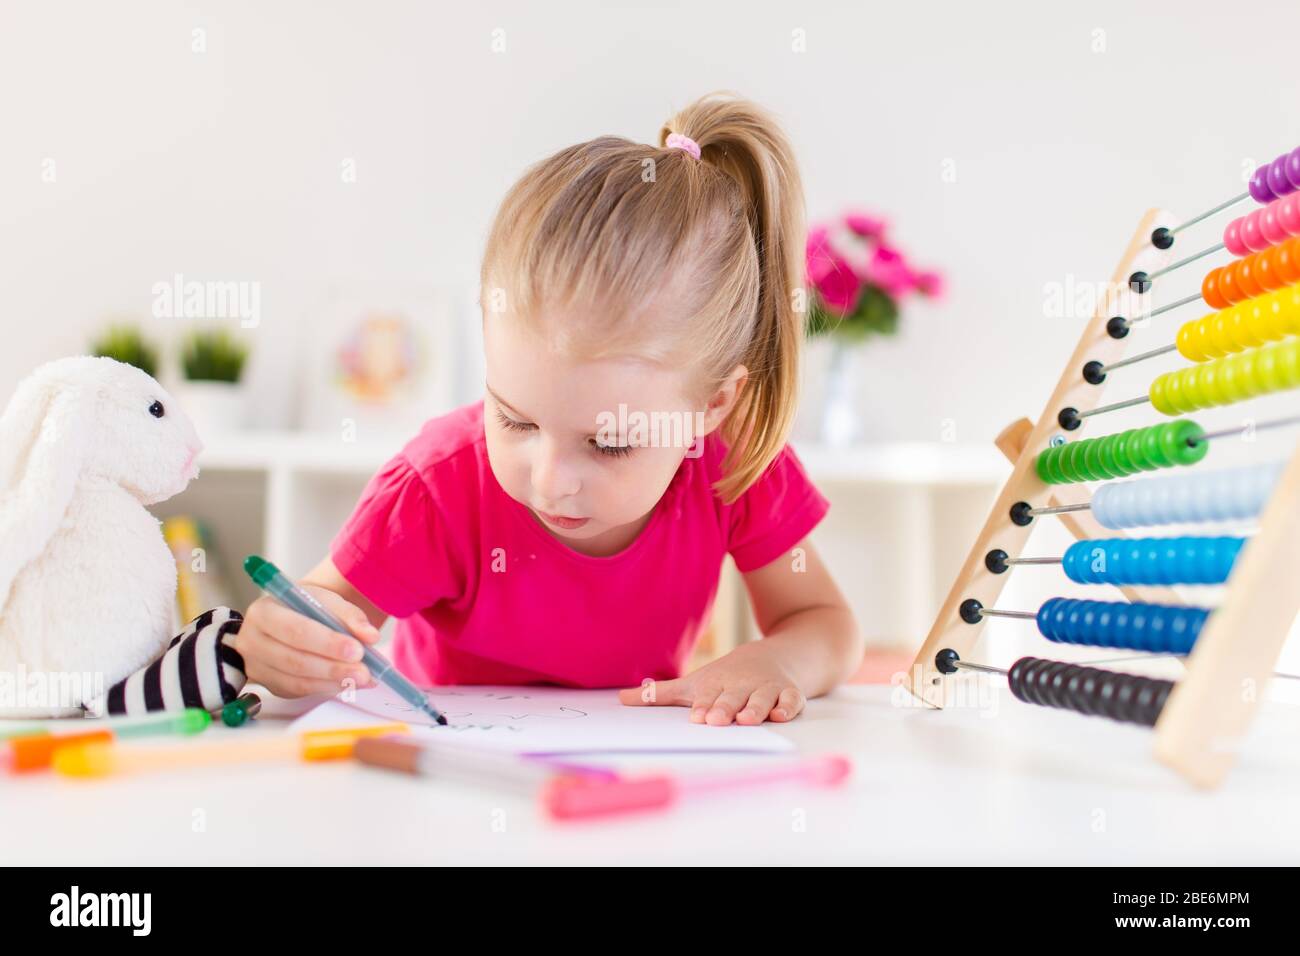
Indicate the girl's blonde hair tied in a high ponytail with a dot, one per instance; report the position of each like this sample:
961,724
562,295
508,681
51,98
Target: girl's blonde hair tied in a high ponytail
606,230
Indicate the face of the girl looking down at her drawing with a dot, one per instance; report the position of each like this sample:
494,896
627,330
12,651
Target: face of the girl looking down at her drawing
561,445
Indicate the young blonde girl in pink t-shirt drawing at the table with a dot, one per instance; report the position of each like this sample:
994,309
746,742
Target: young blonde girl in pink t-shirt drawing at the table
643,343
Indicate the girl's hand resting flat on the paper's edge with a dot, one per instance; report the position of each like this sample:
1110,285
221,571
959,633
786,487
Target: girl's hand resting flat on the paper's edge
748,686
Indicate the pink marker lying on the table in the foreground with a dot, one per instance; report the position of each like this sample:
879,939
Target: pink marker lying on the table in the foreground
573,798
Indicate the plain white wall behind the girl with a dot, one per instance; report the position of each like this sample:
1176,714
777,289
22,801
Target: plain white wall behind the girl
227,165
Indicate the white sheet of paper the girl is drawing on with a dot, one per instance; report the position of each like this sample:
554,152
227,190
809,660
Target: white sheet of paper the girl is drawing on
545,720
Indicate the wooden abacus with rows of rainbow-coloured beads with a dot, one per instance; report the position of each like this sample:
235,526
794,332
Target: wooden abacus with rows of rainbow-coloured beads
1250,345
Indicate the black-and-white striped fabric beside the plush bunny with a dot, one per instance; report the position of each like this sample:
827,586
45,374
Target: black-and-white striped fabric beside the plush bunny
200,669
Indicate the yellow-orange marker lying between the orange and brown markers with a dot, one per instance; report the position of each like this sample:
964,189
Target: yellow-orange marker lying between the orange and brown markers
105,759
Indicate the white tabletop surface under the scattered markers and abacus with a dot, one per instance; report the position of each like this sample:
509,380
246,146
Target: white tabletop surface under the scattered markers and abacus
930,788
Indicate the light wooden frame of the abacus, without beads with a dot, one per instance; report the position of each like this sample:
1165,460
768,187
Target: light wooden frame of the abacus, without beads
1212,706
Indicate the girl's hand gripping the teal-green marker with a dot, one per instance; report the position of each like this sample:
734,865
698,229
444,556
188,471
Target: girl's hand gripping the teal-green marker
293,656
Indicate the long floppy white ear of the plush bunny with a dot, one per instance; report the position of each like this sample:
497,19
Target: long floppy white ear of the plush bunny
44,440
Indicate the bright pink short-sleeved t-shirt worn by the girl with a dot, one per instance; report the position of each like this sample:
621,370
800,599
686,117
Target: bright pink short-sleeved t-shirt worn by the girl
486,595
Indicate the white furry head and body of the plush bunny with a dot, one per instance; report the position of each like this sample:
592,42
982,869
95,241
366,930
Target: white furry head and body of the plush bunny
86,581
